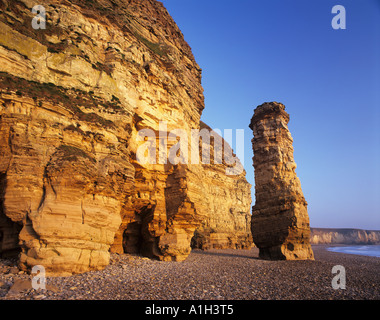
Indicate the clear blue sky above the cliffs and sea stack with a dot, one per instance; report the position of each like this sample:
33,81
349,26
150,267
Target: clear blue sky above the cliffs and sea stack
329,80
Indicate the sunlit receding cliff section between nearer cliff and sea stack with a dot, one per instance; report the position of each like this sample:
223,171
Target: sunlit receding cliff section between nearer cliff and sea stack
226,206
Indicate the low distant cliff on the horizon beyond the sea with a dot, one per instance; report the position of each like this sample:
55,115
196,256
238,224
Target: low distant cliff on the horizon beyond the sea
344,236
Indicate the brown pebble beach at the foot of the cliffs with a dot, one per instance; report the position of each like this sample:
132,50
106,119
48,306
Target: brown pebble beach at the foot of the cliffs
205,275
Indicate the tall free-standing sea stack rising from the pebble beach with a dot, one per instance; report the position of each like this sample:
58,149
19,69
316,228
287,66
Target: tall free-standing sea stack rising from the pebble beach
280,223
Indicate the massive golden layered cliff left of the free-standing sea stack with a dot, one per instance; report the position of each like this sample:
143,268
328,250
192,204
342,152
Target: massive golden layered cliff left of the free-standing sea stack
73,99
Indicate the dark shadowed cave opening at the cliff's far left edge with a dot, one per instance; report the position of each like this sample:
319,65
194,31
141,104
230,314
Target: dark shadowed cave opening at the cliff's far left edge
9,230
